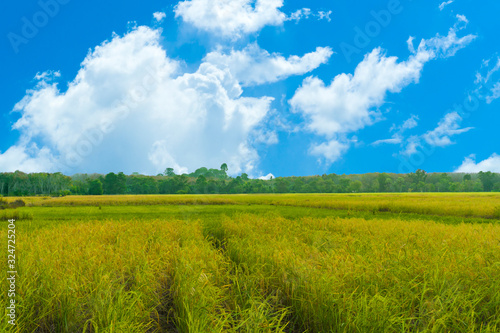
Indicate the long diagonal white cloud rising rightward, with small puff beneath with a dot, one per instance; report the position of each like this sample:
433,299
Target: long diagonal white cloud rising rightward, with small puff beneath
352,101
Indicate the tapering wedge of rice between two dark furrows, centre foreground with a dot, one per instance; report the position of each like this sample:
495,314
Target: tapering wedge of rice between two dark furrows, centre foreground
211,295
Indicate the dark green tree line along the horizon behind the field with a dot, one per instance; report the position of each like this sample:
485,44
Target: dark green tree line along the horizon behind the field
216,181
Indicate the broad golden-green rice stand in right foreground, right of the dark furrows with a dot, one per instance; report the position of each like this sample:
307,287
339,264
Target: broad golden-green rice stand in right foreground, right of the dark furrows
374,279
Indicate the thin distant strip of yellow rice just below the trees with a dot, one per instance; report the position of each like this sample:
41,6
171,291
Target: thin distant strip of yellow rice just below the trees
440,204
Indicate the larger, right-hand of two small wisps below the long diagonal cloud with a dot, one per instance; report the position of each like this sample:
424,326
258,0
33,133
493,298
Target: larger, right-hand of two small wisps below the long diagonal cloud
447,127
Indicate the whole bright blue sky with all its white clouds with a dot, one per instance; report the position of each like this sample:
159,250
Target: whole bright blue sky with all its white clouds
268,86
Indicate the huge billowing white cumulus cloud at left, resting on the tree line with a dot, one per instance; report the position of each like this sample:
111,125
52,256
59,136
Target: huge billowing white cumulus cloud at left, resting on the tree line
130,108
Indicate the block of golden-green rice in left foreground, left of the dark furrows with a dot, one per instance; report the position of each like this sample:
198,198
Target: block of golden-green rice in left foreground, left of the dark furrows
97,274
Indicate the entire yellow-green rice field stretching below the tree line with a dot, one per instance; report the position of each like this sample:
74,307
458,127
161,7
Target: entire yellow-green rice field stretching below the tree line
257,263
